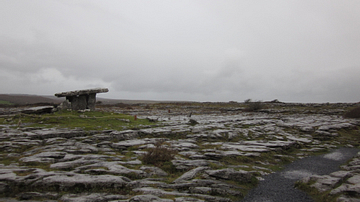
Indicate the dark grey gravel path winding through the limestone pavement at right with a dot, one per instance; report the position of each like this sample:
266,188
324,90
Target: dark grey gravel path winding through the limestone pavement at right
279,186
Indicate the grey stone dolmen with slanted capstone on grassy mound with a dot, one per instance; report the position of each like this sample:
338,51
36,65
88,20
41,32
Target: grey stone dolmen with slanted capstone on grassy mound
82,99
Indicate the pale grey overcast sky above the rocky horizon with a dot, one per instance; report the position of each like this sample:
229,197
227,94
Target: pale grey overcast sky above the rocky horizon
194,50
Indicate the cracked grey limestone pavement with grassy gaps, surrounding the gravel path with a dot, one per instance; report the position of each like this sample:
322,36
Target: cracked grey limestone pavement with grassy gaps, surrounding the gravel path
221,153
